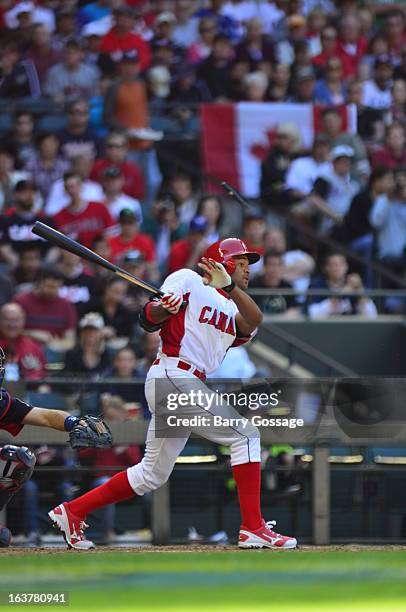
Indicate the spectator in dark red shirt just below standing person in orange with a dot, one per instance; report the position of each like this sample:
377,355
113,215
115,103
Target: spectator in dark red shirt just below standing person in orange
115,155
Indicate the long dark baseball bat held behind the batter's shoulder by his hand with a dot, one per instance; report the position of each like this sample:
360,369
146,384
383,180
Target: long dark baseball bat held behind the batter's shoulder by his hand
64,242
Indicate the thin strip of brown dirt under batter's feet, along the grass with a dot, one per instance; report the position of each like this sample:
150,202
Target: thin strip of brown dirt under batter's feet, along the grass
198,548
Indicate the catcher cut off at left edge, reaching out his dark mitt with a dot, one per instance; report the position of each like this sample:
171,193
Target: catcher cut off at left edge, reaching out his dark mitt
17,462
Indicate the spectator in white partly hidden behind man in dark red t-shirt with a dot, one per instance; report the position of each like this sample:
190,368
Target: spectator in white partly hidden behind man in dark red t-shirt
90,190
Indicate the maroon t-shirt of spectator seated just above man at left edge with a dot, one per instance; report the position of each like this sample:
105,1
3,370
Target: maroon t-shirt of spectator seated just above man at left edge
54,316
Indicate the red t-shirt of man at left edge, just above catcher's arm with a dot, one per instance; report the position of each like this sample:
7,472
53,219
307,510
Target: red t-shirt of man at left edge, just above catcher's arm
29,356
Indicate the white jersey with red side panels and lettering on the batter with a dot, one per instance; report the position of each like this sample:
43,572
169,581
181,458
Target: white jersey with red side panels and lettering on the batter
201,333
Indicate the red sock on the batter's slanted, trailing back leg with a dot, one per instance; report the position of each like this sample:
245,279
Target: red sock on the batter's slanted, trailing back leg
114,490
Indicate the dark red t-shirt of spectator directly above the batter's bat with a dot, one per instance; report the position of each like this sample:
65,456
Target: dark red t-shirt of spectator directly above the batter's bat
85,225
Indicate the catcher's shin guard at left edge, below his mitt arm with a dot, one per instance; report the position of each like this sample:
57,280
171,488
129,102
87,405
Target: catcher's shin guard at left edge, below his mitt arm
16,467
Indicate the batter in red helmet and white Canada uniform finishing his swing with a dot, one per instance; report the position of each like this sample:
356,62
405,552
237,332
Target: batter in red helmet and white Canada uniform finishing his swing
200,318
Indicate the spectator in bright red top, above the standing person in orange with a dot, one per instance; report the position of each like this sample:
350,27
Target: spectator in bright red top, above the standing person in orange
121,39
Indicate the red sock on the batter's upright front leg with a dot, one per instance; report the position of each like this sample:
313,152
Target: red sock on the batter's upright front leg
248,479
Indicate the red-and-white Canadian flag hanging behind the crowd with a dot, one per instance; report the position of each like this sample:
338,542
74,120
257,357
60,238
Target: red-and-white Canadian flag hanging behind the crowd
236,138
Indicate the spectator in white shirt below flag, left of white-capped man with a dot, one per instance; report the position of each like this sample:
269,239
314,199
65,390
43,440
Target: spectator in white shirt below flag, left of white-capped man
303,171
